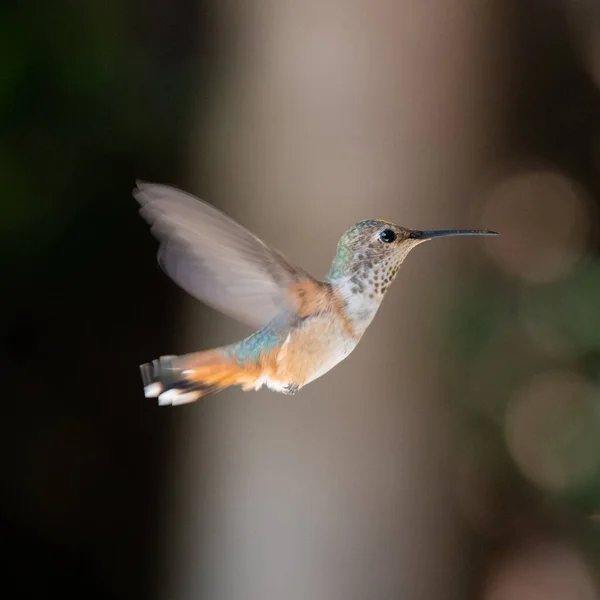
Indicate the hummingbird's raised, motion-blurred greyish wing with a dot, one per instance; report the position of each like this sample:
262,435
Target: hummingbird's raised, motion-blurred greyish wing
214,258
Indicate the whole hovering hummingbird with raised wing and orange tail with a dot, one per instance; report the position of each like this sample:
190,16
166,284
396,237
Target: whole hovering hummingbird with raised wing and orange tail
303,326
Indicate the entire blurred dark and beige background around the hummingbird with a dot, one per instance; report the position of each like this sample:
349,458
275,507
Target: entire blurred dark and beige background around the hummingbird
456,452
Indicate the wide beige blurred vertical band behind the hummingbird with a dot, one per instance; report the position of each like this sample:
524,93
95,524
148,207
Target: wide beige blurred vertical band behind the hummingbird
332,112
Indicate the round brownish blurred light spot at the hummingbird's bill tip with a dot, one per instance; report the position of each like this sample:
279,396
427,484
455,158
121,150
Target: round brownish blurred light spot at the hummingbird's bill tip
543,219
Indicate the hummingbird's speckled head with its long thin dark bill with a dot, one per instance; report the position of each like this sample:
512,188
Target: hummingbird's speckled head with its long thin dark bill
374,250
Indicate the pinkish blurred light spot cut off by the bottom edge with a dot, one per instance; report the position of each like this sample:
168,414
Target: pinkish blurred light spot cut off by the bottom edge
549,572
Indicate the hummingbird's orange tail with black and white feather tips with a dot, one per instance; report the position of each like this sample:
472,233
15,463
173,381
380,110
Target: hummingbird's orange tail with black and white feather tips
189,377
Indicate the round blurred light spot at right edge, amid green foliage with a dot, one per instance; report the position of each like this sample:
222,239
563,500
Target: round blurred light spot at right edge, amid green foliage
552,429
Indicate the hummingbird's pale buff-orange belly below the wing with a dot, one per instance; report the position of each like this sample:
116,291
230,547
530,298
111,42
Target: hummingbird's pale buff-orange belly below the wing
313,349
